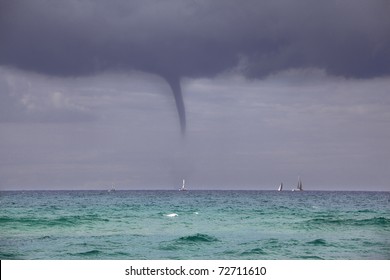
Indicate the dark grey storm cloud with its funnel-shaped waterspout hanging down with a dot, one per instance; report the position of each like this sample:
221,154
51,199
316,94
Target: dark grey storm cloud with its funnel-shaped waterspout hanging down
177,39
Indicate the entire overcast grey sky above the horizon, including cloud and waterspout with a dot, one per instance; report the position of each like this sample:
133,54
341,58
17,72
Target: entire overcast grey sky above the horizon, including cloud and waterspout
226,94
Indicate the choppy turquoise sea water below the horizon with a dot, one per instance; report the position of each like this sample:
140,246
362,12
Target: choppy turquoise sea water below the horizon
207,225
